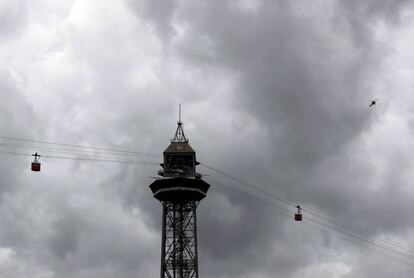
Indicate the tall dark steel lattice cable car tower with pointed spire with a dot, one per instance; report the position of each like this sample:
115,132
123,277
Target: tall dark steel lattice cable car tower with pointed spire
179,190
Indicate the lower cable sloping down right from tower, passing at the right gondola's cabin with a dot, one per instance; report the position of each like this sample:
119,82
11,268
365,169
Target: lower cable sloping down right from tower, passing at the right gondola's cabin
322,226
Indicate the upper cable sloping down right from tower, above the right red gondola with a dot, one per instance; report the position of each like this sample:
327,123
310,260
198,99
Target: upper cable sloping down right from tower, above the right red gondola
354,228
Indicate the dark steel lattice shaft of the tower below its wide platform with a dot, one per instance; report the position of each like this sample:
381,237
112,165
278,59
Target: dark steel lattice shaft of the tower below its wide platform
179,240
